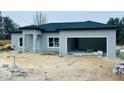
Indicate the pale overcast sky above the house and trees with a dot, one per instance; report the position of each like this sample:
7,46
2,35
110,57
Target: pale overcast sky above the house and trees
24,18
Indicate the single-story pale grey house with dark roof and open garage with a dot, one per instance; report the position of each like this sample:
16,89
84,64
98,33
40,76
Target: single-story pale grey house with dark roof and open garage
66,38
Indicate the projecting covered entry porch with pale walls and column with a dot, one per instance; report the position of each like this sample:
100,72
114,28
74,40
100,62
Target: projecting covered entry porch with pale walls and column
31,41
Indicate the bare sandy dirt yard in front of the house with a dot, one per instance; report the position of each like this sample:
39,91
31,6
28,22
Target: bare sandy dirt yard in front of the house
54,68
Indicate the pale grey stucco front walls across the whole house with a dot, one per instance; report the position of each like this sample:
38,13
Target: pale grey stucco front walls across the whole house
63,35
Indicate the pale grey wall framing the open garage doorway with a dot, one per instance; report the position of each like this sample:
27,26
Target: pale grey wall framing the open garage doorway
109,34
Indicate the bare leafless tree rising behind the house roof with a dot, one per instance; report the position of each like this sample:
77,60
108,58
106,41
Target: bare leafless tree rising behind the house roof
39,18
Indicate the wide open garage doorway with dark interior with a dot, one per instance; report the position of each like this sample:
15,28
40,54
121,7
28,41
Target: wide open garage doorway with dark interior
86,46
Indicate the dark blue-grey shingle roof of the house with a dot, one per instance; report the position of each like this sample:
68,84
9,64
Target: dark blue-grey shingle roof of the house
70,26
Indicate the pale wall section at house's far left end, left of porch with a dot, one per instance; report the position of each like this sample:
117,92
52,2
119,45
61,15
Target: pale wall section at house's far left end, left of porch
15,40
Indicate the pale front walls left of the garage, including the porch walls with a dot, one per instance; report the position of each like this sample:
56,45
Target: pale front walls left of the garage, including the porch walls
28,41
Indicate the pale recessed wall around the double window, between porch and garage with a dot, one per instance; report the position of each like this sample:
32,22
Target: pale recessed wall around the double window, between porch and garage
44,41
